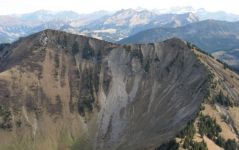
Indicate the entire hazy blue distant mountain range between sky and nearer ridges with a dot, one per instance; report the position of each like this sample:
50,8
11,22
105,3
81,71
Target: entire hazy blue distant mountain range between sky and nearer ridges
110,26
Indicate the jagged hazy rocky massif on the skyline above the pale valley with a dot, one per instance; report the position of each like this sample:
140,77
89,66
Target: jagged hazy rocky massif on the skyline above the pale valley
132,18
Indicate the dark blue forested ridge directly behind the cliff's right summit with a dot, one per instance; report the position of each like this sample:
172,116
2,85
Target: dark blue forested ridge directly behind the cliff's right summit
210,35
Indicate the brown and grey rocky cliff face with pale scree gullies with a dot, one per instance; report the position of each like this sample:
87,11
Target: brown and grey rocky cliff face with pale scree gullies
64,91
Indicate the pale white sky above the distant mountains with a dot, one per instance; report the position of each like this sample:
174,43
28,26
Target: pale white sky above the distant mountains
87,6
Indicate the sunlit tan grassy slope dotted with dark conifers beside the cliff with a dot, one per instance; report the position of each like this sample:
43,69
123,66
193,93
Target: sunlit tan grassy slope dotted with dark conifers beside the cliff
216,125
